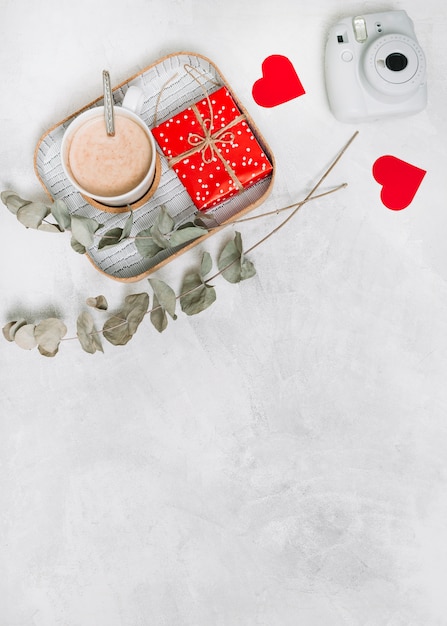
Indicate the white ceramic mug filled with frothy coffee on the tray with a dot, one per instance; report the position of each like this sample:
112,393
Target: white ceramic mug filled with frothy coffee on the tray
114,171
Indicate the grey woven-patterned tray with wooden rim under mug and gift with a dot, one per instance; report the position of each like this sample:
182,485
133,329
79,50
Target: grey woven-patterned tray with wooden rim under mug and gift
168,89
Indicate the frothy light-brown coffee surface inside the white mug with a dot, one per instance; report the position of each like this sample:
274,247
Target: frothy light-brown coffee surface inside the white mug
109,166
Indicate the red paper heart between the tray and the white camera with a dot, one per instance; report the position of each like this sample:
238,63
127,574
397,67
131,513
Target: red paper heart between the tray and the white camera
279,82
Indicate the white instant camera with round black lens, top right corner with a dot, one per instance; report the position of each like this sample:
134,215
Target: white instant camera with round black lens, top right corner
375,68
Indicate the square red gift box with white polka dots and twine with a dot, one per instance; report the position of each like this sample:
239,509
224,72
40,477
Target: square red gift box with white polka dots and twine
212,149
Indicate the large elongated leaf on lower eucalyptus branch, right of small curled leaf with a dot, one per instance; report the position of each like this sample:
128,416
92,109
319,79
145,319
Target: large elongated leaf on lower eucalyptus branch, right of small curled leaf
120,328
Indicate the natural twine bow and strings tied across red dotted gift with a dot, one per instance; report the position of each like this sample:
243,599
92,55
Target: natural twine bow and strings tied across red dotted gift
207,142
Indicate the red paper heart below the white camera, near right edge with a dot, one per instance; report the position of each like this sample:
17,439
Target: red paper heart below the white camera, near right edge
400,181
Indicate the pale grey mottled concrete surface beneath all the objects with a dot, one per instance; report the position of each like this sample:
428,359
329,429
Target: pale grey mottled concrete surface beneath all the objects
278,460
